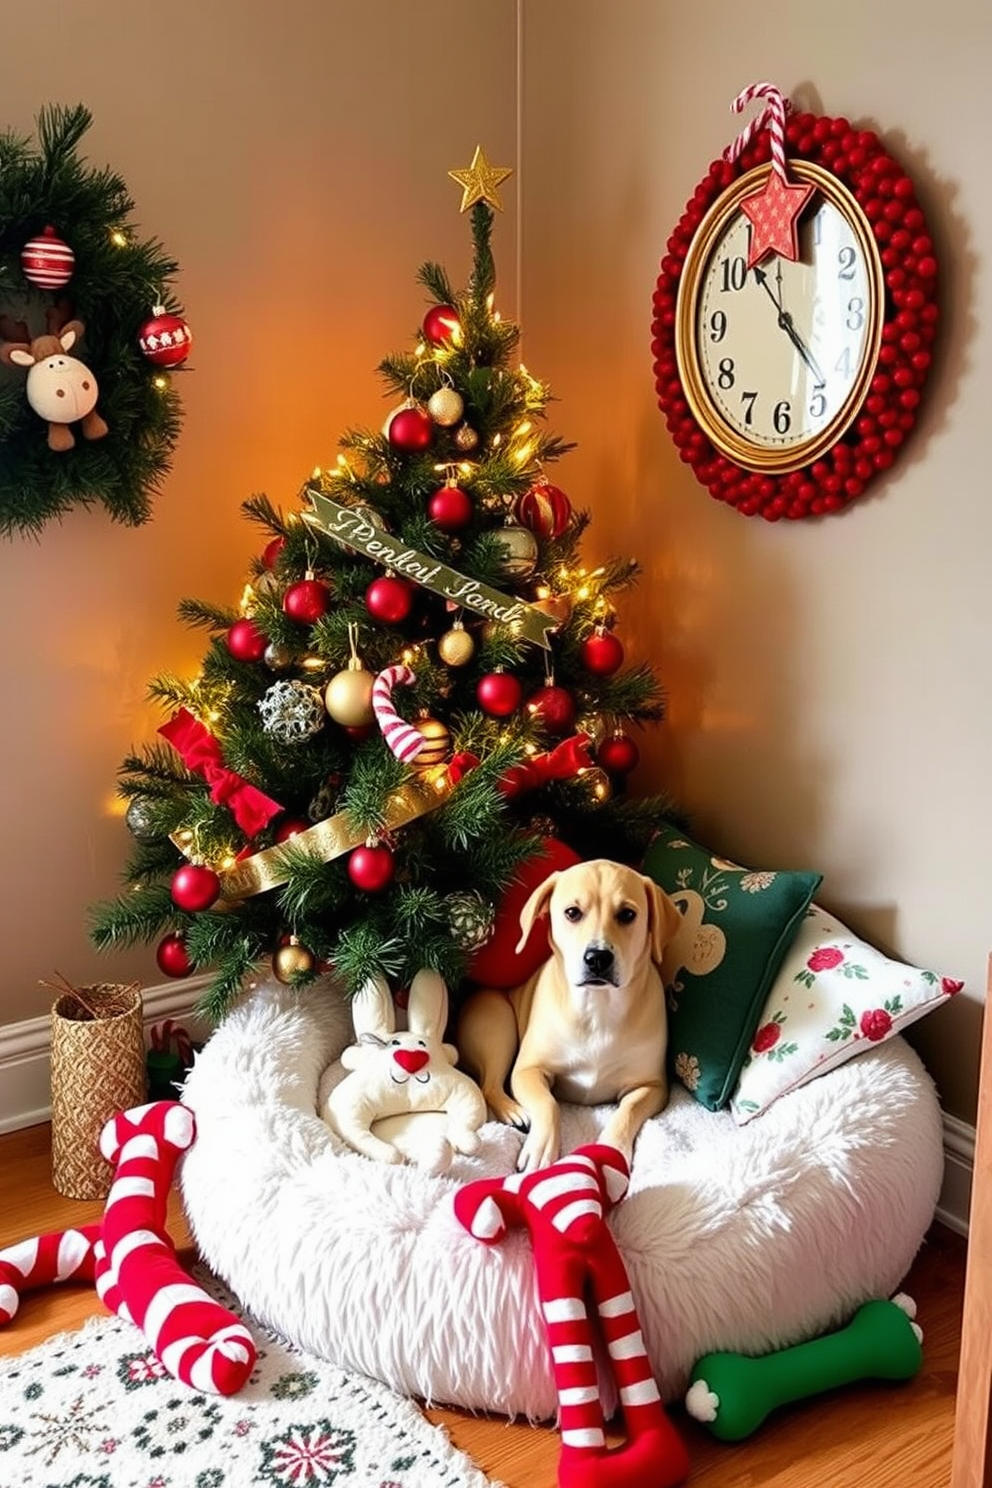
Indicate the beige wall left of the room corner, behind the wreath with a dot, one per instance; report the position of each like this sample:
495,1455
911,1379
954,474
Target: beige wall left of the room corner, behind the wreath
294,158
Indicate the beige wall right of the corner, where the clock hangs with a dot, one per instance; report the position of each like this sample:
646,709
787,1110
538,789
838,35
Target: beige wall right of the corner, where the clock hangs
829,679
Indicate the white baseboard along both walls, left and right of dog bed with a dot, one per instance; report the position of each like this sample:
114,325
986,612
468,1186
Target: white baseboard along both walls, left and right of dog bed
26,1090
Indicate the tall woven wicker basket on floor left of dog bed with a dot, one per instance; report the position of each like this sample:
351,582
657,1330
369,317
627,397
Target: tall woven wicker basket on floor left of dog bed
97,1071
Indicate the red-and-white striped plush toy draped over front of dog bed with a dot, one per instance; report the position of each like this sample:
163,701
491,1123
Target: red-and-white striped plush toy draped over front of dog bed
575,1258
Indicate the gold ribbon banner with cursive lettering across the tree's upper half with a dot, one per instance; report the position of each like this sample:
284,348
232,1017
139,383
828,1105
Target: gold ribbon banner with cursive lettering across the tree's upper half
353,529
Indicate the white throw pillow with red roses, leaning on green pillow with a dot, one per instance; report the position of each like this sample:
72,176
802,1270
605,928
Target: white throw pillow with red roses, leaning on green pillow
834,998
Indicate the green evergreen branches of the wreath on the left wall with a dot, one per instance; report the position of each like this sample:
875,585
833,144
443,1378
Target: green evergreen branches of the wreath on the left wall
117,280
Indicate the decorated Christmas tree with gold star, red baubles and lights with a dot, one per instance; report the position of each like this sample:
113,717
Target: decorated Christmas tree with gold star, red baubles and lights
422,691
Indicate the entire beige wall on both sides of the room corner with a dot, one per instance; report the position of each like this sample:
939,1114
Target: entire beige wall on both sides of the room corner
829,681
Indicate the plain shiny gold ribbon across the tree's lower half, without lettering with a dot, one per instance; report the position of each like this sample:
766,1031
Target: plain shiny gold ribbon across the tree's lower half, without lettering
334,837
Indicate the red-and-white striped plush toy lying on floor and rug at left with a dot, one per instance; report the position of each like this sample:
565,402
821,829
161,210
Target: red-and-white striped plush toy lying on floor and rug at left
133,1260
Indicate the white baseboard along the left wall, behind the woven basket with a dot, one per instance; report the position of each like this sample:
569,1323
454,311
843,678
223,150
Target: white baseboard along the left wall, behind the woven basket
26,1068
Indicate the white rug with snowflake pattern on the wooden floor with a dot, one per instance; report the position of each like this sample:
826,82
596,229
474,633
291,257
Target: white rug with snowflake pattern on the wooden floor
96,1410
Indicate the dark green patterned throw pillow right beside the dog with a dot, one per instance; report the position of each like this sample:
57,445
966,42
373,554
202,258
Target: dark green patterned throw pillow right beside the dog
738,923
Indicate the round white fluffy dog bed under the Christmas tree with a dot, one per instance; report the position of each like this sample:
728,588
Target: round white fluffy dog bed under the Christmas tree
746,1239
